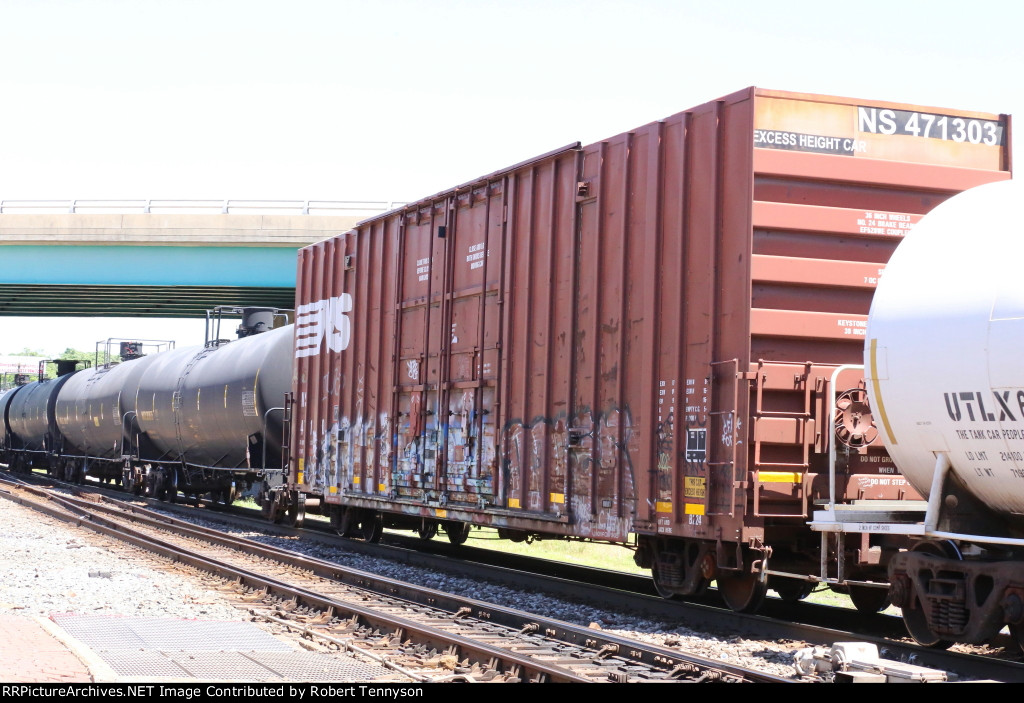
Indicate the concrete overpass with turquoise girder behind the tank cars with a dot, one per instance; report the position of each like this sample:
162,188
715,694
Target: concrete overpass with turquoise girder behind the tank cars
159,258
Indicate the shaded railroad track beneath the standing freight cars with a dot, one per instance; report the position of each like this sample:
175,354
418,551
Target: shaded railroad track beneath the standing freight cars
802,623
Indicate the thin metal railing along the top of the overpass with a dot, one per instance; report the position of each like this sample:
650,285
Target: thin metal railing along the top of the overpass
199,207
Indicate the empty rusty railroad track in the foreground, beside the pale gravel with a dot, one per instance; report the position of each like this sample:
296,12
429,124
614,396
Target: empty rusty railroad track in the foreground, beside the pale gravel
421,629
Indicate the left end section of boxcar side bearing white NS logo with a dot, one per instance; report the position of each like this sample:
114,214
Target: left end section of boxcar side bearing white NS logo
344,373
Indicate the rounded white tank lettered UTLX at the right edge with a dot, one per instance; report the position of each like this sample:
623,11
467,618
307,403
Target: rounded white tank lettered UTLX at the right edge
945,350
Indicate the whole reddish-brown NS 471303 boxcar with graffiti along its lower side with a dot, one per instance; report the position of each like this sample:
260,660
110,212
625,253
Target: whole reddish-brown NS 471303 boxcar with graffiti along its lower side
638,341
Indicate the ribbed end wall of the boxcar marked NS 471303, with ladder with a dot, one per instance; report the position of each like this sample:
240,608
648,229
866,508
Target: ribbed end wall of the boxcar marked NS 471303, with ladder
827,215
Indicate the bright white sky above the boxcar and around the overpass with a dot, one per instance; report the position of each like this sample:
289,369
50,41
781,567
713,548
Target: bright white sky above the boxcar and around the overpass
394,100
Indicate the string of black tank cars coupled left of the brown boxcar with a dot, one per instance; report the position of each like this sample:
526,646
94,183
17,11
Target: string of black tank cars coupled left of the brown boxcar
195,421
